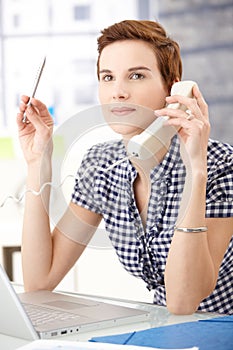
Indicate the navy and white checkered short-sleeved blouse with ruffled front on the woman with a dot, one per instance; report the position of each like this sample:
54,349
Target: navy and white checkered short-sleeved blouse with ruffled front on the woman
143,251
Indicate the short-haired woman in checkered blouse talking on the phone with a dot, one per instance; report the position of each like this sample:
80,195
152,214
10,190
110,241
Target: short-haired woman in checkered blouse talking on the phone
184,255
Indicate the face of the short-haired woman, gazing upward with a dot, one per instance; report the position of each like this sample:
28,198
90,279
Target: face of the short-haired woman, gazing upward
129,76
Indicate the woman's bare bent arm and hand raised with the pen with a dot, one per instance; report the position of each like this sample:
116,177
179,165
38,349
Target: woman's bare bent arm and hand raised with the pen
47,257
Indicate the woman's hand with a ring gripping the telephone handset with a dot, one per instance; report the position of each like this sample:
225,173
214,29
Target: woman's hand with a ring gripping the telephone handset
193,126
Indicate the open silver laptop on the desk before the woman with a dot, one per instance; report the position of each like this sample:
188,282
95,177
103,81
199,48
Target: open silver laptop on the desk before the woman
45,314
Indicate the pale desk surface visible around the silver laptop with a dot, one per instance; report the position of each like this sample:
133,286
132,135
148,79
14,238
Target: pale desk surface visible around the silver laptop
159,316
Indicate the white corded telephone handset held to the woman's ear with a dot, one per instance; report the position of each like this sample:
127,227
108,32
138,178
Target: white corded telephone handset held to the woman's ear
157,135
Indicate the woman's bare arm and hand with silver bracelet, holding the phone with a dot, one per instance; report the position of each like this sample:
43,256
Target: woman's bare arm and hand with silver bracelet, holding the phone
194,258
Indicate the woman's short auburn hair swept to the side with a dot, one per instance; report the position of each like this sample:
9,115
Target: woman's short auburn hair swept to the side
167,51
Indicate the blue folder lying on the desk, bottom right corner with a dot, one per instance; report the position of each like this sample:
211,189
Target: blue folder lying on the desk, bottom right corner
211,334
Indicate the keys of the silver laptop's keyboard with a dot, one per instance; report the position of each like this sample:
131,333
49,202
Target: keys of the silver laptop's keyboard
40,315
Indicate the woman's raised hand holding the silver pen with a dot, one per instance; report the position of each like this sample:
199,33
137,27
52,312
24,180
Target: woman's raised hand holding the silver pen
35,134
